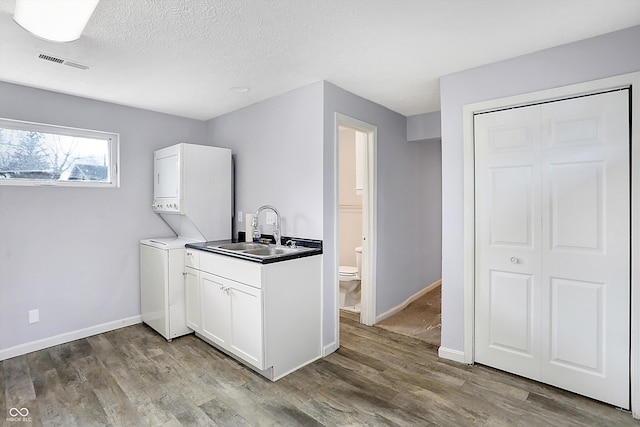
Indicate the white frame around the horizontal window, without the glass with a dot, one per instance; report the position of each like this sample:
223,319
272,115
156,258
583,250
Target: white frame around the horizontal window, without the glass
113,157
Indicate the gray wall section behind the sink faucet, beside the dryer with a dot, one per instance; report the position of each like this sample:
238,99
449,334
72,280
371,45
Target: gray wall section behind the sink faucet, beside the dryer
277,147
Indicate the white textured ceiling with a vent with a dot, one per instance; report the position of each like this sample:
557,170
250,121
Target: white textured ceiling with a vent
183,57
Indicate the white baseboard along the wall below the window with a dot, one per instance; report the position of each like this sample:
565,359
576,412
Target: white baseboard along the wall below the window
41,344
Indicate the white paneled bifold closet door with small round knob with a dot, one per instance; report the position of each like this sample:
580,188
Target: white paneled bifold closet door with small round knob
553,243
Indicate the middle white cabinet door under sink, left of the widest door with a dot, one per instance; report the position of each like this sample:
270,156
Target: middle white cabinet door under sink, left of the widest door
215,308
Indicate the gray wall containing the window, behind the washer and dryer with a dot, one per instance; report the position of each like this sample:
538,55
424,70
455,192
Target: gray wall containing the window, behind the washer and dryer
72,253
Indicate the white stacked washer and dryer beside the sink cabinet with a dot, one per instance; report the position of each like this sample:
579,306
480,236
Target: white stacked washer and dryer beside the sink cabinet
193,193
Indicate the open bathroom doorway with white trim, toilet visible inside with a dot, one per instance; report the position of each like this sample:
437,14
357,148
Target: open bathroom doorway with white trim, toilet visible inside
355,217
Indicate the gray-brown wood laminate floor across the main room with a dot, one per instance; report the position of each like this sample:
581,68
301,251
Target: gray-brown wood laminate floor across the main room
133,377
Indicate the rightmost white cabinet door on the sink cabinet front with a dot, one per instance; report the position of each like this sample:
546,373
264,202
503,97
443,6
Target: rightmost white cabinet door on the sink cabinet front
246,335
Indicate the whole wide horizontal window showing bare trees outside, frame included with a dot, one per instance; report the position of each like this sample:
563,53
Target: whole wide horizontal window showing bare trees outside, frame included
37,154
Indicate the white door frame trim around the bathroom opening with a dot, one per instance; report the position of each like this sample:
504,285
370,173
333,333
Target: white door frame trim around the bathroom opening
369,187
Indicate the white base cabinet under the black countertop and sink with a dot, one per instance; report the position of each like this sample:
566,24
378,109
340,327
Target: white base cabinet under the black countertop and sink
267,316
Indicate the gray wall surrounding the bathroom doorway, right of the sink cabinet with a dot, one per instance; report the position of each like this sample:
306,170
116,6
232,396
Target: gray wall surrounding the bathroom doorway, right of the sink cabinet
408,205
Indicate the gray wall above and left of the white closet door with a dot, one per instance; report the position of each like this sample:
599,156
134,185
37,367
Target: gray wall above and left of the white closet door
604,56
